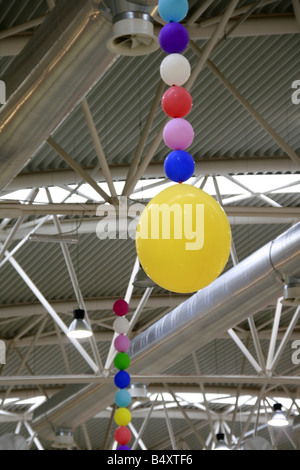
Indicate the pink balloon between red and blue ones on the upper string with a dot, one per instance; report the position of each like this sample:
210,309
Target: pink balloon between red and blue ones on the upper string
178,134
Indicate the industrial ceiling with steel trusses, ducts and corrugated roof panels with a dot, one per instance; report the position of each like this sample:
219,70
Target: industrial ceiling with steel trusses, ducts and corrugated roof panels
81,127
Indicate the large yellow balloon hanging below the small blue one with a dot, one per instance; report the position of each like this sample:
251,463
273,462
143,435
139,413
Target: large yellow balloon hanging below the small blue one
183,239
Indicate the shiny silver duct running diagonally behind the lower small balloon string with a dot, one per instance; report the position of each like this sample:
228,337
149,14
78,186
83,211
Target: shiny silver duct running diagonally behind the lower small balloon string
254,283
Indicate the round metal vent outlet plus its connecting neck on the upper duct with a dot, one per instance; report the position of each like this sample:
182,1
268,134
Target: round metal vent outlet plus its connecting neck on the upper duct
133,32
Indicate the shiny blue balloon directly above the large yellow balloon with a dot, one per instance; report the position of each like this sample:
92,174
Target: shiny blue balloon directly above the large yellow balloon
179,166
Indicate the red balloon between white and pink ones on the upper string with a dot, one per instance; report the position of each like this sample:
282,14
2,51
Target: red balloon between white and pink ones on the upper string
176,102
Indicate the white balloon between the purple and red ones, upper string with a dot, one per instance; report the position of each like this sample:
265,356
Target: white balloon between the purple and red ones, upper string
175,69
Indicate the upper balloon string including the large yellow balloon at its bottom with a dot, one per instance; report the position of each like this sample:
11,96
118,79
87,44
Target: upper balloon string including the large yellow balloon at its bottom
183,237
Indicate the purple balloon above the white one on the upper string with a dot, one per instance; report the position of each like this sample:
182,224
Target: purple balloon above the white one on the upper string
173,38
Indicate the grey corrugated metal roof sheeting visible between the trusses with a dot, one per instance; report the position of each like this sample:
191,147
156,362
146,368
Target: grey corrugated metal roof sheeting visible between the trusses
262,68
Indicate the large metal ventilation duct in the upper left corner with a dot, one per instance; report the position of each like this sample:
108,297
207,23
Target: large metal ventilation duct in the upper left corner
65,57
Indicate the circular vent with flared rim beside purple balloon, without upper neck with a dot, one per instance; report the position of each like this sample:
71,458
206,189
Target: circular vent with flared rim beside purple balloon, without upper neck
133,34
